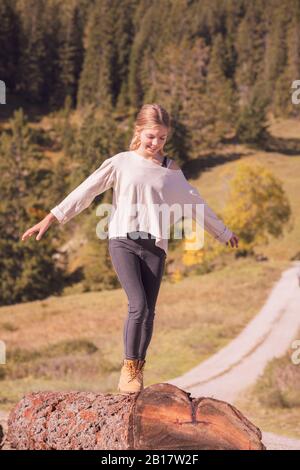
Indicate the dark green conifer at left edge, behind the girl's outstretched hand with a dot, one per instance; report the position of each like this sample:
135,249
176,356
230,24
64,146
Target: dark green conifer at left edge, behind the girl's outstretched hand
27,271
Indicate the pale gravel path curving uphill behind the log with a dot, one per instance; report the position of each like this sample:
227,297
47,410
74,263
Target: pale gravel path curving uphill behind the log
231,370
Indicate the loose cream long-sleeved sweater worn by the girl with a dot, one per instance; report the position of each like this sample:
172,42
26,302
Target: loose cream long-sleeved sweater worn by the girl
141,186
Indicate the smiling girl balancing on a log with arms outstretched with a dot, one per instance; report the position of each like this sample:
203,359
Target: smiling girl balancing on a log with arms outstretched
138,245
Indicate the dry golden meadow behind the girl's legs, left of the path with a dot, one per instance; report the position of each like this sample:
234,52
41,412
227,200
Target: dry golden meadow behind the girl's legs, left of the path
76,341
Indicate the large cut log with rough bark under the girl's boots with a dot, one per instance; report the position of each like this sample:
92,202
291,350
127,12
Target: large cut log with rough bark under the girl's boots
161,416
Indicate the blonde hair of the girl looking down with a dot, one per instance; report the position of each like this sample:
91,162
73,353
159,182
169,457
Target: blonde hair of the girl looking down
150,115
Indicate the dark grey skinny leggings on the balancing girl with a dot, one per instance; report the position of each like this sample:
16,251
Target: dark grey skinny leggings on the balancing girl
139,265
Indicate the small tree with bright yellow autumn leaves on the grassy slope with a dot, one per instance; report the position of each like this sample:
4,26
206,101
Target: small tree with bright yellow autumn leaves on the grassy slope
258,207
